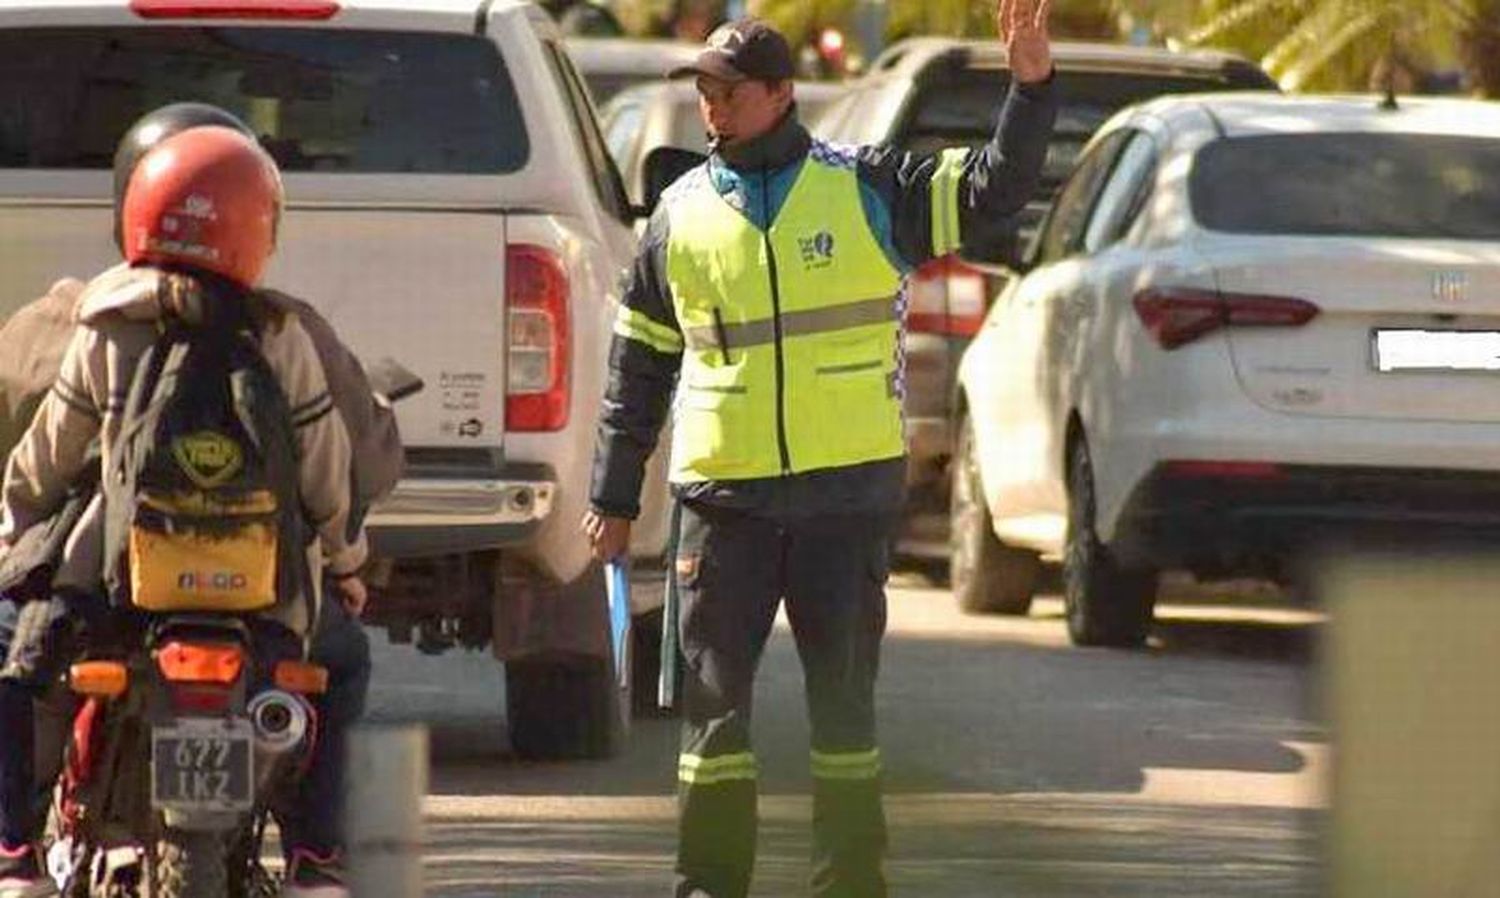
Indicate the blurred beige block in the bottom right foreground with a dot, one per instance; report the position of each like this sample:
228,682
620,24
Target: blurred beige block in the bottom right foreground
1412,666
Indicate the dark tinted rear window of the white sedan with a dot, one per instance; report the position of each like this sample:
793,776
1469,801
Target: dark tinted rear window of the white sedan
1351,185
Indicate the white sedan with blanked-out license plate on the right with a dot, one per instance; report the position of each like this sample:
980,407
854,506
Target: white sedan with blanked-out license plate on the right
1250,325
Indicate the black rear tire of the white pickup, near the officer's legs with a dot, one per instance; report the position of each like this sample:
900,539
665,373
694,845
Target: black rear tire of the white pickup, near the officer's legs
565,708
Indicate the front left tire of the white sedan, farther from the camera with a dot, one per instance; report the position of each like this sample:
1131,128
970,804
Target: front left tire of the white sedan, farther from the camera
986,575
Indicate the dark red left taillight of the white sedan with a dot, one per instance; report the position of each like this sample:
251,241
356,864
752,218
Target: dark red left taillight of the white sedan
1177,317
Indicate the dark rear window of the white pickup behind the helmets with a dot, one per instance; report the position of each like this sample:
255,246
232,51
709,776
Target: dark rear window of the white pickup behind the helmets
320,100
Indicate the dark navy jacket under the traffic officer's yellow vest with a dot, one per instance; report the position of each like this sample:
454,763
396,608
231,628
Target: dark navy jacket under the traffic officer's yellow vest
755,179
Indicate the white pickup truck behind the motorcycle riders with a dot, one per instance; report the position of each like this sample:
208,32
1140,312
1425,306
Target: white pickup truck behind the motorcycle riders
452,206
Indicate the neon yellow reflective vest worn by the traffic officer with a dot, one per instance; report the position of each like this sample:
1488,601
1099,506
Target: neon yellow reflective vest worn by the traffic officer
836,367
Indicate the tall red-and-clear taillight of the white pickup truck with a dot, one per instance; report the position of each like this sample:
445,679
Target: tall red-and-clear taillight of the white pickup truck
538,379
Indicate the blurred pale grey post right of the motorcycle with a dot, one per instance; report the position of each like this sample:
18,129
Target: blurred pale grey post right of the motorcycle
388,779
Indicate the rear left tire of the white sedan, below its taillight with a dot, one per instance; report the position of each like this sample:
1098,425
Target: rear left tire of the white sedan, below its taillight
1108,605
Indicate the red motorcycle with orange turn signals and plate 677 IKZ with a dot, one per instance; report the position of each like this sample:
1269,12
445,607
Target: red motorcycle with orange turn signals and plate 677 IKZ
178,752
